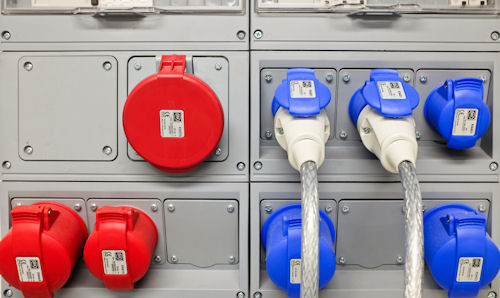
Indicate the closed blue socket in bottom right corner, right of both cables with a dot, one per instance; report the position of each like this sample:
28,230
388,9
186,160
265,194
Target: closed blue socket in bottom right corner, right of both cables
459,253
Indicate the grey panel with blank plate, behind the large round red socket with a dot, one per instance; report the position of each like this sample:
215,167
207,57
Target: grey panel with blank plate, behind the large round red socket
69,139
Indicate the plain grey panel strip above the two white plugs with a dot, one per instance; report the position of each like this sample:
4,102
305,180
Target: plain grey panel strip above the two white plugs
326,31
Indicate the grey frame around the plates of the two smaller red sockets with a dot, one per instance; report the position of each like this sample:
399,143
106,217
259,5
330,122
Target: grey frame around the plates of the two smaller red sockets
162,280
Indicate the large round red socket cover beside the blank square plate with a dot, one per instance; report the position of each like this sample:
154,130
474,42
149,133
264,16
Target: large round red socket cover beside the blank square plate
173,119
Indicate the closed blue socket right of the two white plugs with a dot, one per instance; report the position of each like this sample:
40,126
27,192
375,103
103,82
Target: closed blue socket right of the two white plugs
456,110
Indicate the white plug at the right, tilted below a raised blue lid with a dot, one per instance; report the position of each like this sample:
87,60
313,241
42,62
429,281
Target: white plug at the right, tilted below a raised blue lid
392,140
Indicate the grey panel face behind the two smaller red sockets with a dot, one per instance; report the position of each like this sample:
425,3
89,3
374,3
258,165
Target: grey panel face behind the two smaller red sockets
164,279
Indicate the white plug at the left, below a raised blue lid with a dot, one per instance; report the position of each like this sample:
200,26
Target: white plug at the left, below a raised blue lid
304,138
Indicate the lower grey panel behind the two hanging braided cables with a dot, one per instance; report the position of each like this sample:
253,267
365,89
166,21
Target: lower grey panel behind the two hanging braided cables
354,281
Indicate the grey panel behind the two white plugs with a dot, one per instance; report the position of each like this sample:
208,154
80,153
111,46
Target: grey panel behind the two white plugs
346,158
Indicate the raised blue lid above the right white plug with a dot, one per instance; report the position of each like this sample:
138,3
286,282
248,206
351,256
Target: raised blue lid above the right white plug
385,92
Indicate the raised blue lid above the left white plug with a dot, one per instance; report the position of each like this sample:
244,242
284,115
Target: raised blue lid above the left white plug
301,94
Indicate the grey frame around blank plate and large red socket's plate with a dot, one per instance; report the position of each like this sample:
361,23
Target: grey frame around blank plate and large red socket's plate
122,168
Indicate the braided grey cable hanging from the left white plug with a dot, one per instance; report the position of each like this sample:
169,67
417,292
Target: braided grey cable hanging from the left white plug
309,287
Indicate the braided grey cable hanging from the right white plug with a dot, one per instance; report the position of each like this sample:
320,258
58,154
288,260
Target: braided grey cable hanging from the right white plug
414,231
